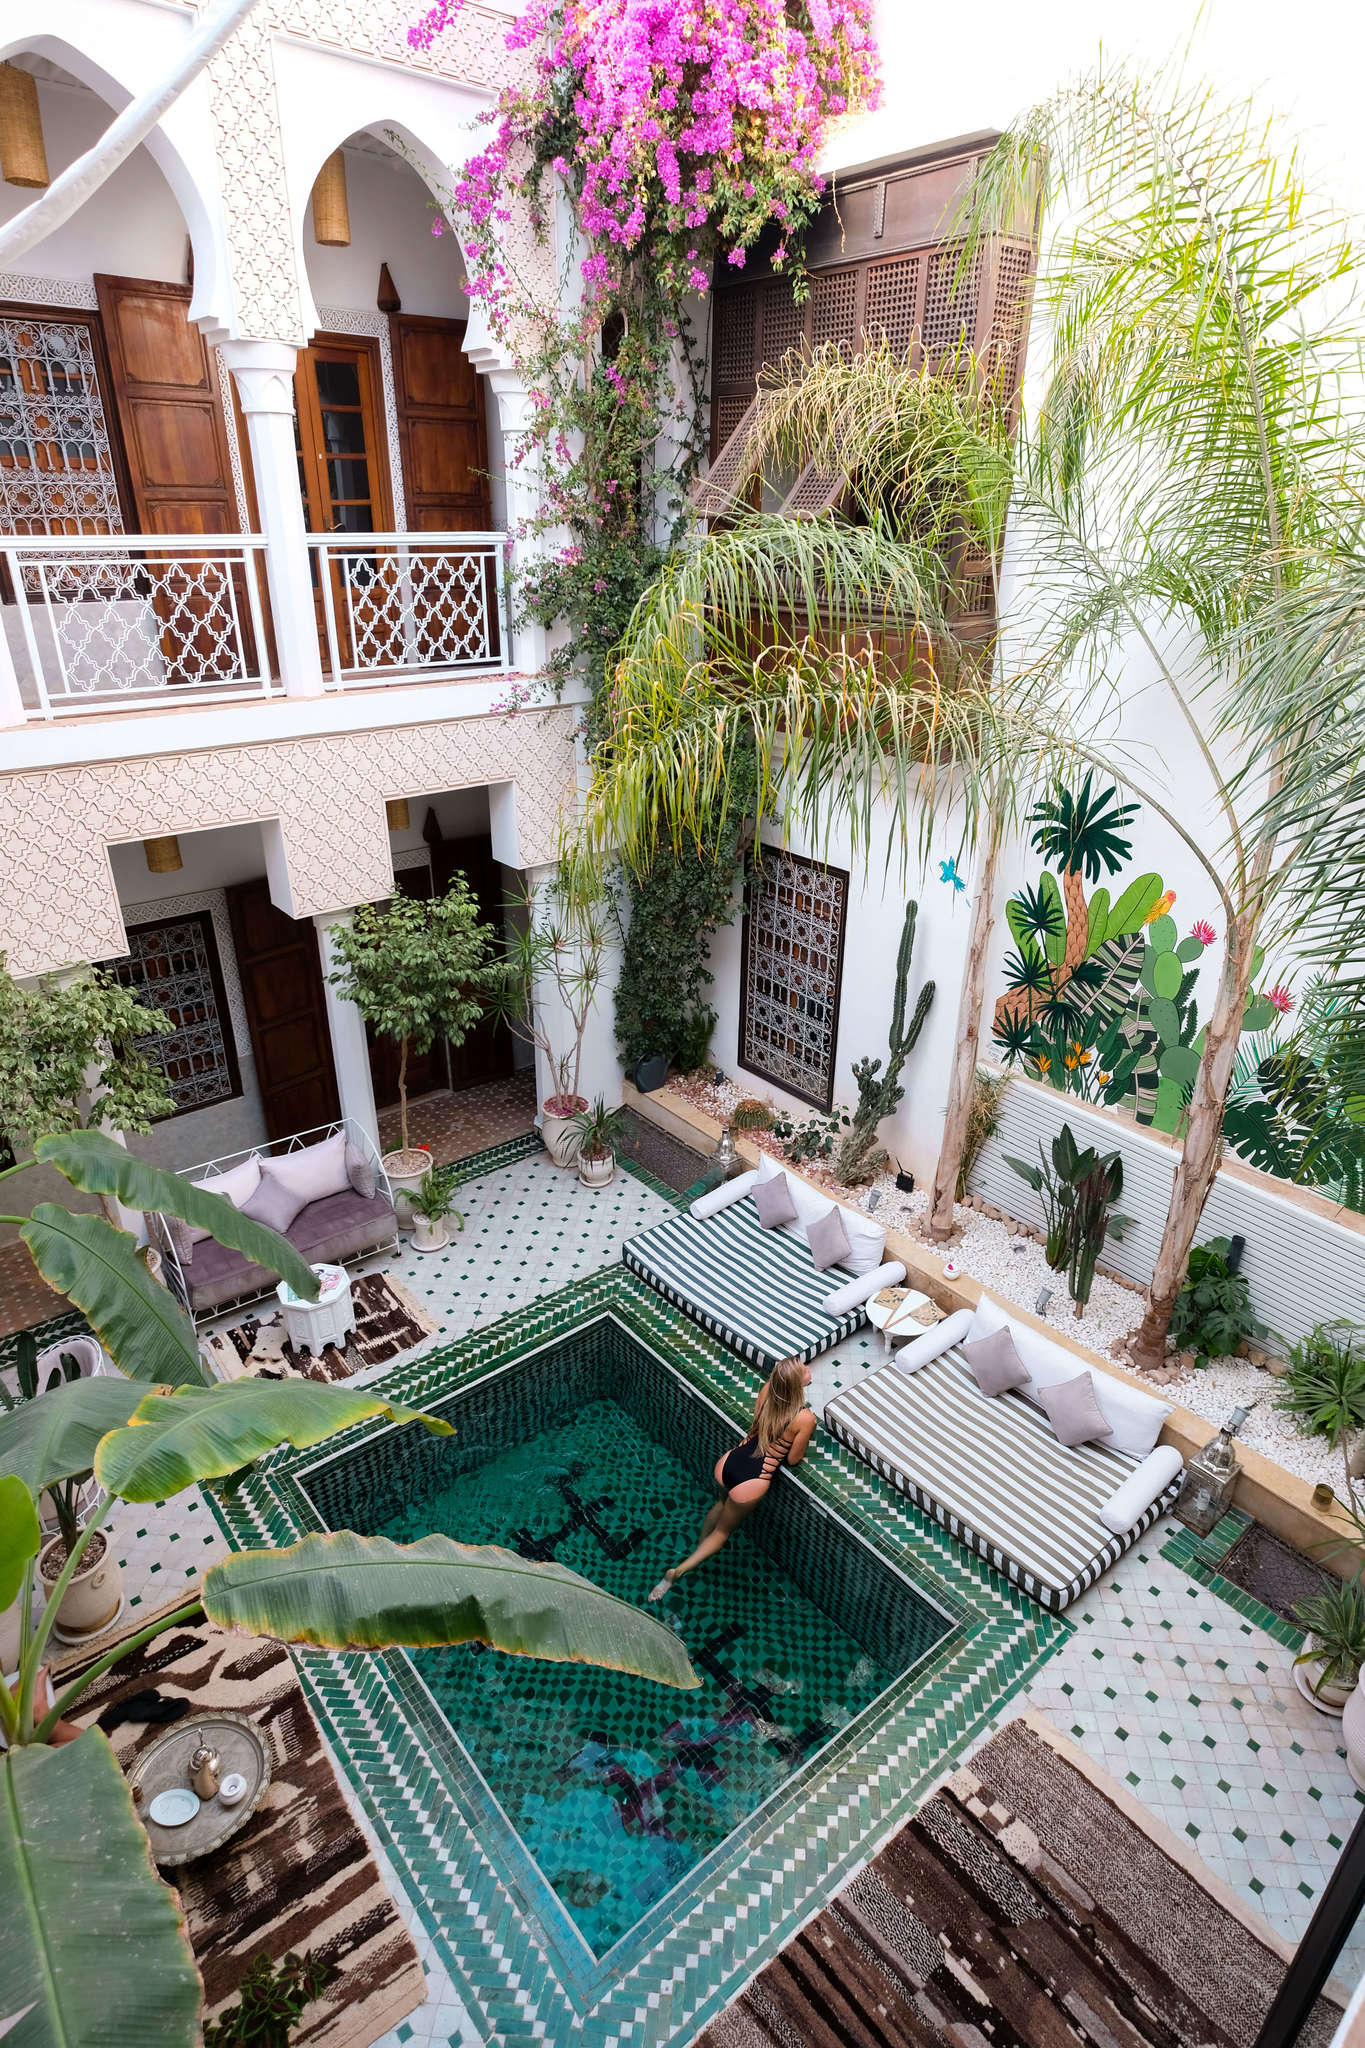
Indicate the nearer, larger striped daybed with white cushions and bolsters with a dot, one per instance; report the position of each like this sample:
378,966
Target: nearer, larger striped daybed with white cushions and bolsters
992,1467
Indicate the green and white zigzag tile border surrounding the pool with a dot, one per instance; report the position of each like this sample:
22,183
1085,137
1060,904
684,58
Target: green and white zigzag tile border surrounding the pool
511,1951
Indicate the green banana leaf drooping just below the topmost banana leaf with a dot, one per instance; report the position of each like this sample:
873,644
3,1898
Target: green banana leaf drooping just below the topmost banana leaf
142,1328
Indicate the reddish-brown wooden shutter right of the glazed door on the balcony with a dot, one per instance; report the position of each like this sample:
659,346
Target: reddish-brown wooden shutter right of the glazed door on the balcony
441,427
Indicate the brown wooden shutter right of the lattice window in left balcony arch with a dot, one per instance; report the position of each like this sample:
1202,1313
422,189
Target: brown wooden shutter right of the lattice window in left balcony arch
169,407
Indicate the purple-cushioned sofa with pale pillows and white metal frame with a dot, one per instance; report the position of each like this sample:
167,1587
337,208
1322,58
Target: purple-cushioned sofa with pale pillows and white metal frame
324,1191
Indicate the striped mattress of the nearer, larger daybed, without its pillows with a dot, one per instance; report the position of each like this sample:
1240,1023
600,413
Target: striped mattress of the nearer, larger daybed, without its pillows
992,1474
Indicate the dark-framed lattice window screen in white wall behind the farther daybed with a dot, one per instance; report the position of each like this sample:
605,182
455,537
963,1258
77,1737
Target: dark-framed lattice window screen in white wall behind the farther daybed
793,943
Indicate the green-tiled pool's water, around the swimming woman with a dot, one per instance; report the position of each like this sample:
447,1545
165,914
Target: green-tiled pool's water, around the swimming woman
599,1457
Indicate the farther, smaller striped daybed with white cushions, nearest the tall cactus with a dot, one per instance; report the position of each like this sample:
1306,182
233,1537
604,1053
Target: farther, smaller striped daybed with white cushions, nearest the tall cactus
758,1287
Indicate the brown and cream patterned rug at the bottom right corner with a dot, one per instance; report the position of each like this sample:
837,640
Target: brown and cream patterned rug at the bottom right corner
1026,1906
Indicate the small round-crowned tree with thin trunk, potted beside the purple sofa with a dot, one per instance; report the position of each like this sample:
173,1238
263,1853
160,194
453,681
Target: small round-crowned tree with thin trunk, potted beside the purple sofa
416,972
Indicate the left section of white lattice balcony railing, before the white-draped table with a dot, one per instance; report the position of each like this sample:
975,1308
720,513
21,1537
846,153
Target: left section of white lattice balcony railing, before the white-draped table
97,622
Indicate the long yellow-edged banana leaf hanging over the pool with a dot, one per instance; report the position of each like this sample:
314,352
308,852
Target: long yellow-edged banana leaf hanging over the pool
365,1592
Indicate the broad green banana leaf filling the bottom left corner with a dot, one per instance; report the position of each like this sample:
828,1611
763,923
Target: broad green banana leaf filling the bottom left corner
95,1951
